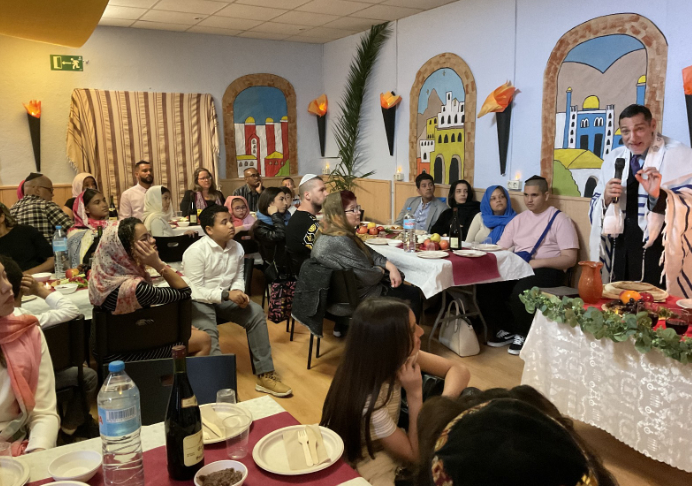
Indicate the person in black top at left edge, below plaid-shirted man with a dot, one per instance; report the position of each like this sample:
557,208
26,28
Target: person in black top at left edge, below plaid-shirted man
24,244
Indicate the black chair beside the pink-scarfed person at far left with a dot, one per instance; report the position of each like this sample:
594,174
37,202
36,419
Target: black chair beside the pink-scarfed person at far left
66,343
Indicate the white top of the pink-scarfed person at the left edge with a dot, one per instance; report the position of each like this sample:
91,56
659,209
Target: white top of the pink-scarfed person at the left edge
44,421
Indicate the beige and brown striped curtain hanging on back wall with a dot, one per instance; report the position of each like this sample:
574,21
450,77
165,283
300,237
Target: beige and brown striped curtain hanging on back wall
109,131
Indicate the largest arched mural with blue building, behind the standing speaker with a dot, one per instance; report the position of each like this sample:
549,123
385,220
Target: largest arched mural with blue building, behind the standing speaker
596,70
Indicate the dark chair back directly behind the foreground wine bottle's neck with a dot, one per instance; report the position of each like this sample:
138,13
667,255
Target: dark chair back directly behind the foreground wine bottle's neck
154,378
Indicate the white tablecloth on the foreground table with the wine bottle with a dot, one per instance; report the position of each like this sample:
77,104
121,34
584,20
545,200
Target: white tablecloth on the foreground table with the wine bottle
153,436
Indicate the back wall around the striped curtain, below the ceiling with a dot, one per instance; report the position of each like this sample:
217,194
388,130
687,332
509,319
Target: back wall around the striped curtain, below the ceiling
139,60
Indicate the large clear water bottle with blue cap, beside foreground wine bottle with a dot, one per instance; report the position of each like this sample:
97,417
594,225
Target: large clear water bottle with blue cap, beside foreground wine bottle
120,424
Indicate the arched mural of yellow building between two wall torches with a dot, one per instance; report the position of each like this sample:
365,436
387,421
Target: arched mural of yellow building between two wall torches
443,105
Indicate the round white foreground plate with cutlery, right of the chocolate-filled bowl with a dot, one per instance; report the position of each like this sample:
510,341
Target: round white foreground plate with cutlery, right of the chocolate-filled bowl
270,454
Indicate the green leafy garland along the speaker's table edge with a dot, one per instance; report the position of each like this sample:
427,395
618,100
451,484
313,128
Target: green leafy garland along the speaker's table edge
606,324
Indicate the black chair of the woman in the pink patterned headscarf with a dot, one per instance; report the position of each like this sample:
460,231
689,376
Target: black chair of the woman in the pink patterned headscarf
139,331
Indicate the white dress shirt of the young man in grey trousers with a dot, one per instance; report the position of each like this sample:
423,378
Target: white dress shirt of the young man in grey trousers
211,269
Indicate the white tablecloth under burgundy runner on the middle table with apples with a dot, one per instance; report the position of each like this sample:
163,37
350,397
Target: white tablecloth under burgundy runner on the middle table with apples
434,276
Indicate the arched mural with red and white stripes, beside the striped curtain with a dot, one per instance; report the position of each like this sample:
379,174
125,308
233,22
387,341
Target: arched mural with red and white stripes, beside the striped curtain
259,126
